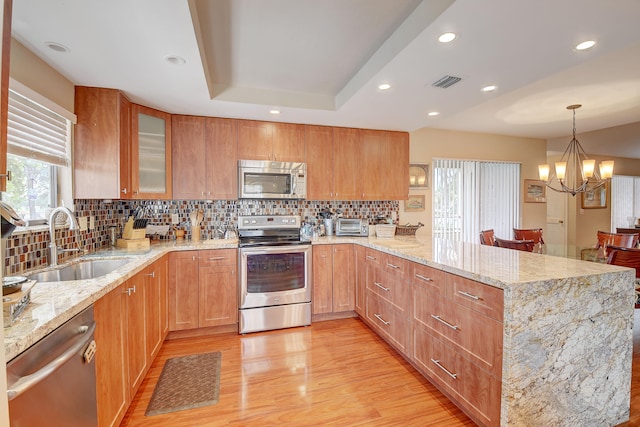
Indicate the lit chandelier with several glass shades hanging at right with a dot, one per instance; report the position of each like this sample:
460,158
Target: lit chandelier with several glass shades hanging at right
575,172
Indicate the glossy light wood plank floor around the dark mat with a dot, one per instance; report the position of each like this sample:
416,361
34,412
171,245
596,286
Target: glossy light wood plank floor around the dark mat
333,373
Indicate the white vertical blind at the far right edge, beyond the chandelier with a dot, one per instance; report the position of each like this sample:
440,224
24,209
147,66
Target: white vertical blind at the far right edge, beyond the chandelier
625,201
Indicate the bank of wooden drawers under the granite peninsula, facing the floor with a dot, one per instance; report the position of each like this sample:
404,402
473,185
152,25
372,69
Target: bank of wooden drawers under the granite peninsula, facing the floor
449,327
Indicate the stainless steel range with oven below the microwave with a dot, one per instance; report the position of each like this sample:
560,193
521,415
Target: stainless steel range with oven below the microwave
275,273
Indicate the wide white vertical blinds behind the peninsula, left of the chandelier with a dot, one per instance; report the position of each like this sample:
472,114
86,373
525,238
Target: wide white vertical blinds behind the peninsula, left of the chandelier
470,196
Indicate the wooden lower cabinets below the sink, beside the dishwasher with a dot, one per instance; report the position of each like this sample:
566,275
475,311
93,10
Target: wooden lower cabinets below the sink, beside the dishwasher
130,329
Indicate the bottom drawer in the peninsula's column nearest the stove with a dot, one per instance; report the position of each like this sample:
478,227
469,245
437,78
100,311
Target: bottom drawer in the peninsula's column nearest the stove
390,322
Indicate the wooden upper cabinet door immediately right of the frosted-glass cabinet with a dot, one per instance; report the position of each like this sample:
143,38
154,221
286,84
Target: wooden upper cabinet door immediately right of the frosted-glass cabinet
188,156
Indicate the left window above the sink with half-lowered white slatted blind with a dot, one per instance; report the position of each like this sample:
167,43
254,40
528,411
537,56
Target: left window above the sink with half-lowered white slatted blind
38,153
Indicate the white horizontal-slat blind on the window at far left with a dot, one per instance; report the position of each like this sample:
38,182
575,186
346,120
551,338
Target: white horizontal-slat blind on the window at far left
36,132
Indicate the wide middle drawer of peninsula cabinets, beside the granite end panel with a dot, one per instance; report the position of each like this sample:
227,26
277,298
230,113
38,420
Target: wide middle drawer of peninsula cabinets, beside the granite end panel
477,337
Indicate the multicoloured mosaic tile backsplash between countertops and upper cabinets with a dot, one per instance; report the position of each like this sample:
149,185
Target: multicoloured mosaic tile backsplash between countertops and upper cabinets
27,250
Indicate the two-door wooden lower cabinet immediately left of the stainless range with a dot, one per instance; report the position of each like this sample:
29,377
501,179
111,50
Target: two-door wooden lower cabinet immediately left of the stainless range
203,288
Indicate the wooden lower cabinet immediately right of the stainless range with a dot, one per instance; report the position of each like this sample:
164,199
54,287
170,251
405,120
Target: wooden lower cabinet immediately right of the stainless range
333,278
